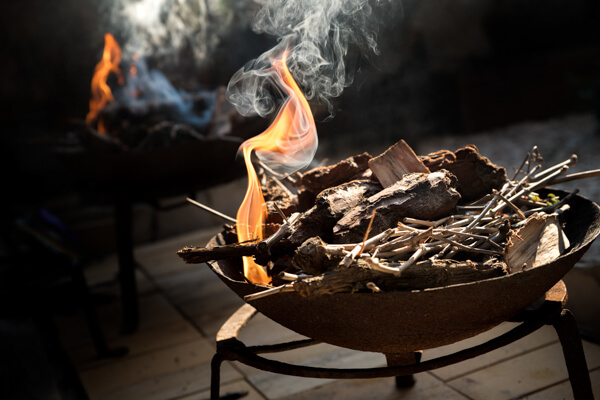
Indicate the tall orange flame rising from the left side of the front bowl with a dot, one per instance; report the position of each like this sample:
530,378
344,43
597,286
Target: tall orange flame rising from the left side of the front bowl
291,133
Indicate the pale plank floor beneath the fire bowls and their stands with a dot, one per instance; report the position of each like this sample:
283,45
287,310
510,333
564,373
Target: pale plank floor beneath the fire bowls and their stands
183,306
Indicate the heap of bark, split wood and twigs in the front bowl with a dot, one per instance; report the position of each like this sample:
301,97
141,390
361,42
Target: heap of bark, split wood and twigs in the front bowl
417,232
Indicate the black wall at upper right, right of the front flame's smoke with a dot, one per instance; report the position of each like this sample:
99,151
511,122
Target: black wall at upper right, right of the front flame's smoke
450,66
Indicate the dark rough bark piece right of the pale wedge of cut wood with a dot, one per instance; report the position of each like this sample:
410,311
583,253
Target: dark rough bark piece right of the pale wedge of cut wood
476,175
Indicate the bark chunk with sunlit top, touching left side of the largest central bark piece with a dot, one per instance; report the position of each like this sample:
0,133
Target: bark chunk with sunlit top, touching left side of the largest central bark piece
331,205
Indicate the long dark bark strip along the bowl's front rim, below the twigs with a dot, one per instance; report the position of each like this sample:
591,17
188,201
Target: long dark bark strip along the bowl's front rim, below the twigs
423,275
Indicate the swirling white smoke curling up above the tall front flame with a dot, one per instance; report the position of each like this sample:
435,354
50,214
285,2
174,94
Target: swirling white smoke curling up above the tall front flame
323,36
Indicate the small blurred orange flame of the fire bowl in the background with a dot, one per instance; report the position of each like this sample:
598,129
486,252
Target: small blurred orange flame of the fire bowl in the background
101,93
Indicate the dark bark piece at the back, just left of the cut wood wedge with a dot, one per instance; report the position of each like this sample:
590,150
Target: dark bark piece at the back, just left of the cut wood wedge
320,178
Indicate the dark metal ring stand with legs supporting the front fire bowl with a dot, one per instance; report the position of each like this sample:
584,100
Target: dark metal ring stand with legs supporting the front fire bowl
548,310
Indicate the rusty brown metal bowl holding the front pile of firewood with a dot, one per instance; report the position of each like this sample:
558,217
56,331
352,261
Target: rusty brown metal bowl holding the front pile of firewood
406,321
